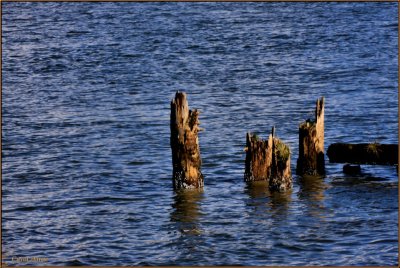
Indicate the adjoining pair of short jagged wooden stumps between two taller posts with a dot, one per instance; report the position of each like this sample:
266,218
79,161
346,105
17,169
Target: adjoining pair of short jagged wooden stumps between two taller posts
268,160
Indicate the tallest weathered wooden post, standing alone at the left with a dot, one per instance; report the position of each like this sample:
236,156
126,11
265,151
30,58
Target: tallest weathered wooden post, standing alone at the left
186,160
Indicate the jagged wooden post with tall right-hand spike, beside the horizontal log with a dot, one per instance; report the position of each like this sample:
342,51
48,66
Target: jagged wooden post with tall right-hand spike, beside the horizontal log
311,159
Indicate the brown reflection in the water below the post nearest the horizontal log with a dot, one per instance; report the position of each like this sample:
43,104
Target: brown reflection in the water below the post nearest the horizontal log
312,193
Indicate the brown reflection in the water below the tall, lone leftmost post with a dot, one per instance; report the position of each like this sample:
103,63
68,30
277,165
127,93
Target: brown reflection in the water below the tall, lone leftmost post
186,211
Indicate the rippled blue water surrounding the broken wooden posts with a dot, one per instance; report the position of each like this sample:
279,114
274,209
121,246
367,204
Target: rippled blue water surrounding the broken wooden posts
86,156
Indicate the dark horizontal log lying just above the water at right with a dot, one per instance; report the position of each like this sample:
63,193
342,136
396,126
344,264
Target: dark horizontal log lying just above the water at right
364,153
